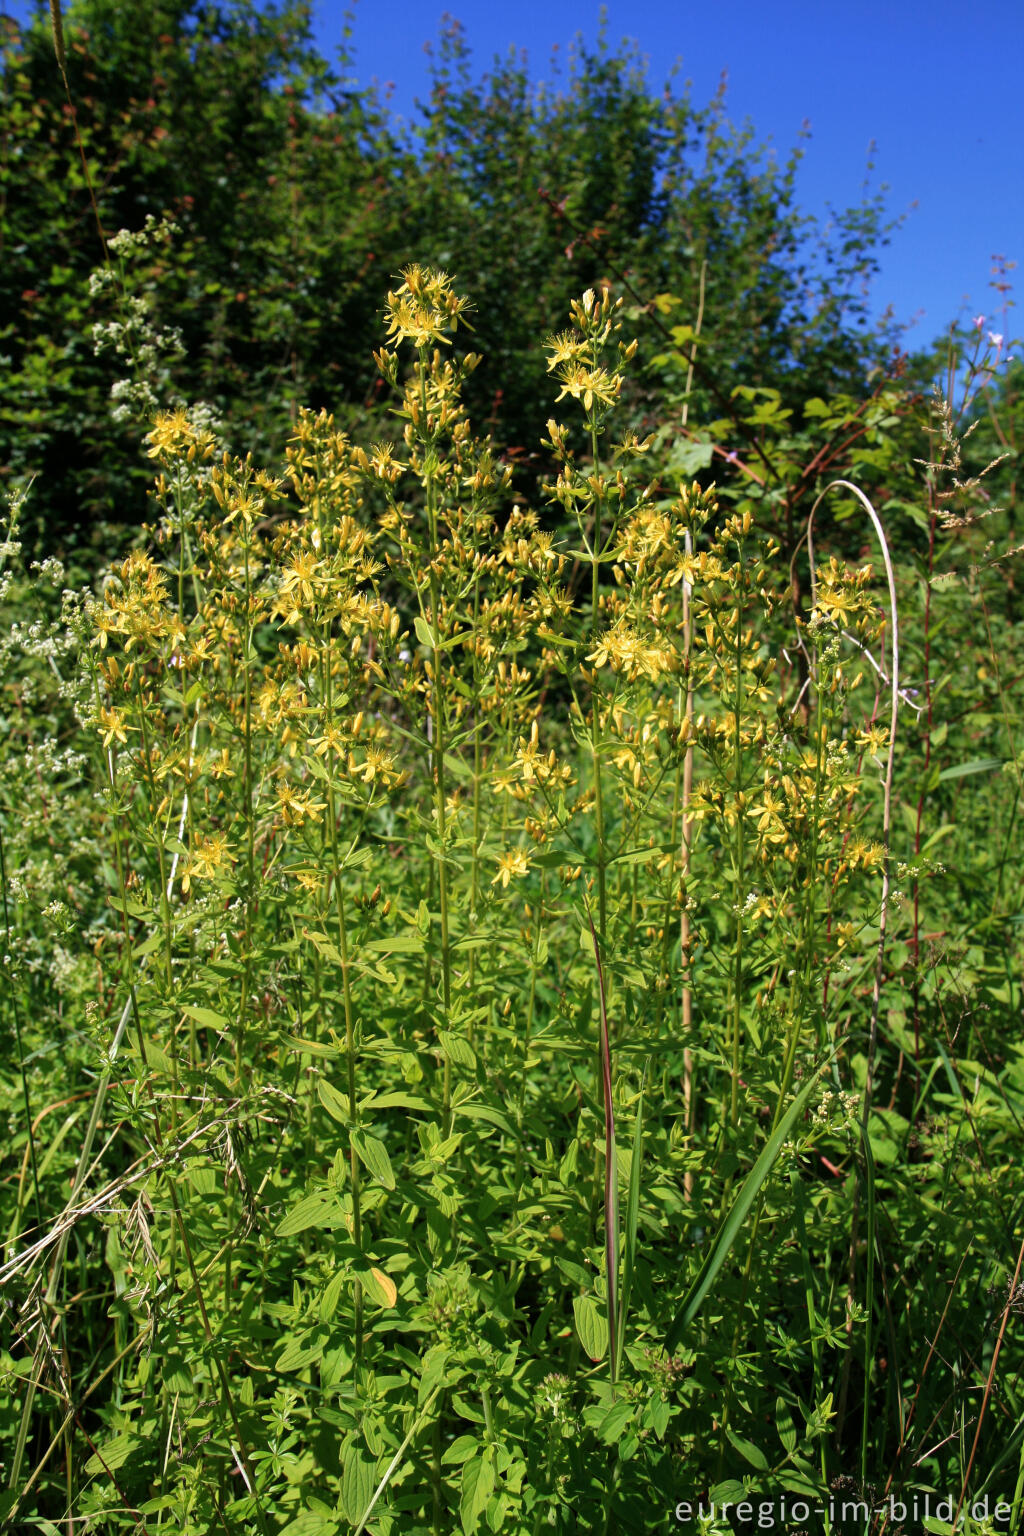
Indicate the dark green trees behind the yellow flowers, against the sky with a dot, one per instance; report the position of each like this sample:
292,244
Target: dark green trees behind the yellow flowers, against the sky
300,197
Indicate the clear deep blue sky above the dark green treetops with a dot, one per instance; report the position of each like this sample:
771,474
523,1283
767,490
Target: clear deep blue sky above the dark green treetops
934,87
